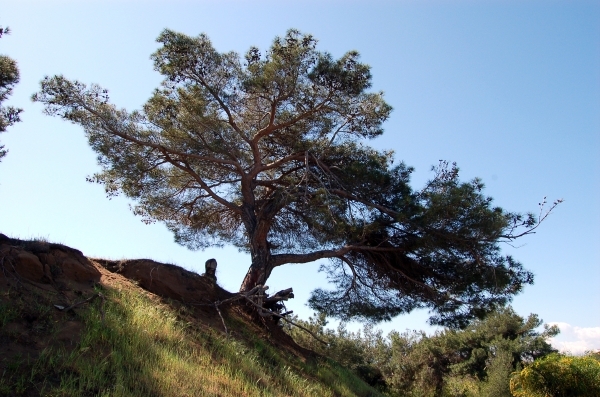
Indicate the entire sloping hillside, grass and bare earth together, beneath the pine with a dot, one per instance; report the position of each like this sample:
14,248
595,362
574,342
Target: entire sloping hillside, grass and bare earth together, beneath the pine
129,342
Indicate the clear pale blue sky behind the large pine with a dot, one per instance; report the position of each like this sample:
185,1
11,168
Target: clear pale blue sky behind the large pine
510,90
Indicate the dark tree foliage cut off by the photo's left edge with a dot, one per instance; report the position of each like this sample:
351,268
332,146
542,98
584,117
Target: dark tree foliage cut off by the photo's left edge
9,76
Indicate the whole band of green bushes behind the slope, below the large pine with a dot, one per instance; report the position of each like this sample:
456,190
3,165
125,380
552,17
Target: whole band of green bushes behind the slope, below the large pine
476,361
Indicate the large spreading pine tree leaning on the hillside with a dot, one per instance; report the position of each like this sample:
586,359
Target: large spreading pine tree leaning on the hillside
266,153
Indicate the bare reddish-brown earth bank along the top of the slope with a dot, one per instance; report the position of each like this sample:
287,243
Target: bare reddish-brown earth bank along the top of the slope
35,276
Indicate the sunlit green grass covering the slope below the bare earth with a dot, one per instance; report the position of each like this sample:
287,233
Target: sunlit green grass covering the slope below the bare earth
145,349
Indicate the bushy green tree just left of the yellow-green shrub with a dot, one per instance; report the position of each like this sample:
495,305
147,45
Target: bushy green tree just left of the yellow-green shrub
482,356
